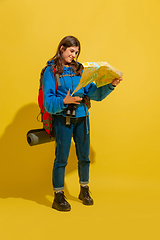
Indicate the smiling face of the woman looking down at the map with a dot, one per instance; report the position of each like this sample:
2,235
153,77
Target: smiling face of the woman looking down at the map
69,54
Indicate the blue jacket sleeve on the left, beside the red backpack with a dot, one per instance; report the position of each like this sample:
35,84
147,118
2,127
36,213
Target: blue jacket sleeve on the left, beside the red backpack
52,103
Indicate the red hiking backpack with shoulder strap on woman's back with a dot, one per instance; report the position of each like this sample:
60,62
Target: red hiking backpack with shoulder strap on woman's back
46,117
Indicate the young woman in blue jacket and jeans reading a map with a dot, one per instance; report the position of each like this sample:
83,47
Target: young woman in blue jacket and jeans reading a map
57,102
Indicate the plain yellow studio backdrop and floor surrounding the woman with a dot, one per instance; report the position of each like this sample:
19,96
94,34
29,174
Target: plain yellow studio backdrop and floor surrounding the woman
125,132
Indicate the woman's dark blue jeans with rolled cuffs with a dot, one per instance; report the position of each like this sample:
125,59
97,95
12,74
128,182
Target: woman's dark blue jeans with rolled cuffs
63,135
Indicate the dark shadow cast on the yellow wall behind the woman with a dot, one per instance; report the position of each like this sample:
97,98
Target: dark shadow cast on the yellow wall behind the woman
25,171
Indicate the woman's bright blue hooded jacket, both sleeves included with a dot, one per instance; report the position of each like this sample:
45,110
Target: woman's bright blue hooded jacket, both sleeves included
53,100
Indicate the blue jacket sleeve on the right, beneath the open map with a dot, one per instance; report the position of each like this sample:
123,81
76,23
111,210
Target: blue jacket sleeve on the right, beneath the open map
98,94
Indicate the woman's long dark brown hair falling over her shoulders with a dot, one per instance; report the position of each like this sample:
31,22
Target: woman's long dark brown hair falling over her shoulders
66,42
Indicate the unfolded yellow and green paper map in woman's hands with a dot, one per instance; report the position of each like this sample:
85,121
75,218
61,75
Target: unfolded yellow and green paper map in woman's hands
101,73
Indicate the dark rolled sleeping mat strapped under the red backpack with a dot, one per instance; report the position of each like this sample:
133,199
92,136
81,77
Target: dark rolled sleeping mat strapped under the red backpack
38,136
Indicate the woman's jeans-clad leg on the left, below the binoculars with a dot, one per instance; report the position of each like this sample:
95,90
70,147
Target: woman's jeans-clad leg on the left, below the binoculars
63,135
